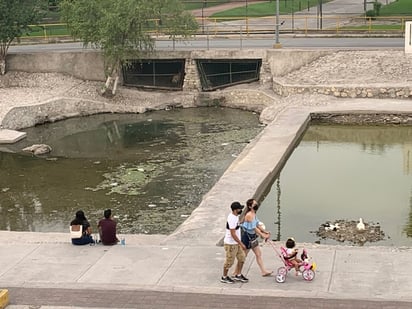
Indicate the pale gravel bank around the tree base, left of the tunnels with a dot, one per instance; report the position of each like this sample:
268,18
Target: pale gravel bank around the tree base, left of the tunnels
25,89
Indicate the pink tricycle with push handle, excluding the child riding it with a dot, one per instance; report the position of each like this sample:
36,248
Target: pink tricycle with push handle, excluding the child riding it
307,267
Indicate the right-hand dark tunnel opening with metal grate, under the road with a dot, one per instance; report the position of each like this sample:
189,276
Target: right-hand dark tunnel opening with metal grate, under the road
221,73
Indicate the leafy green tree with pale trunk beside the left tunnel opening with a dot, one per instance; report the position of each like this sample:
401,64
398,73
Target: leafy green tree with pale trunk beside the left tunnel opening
121,28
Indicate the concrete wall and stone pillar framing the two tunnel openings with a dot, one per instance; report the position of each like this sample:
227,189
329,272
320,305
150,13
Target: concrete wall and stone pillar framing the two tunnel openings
89,64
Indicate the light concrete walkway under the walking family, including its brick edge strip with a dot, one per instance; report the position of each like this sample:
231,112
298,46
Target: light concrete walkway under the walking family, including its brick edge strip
55,273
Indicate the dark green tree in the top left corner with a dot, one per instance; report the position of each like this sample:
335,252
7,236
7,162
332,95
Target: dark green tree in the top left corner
16,16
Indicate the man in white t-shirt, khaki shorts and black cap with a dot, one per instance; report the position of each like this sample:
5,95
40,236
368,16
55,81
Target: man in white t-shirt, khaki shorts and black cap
234,248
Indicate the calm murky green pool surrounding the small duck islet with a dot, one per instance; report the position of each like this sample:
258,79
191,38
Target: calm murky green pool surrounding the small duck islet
344,172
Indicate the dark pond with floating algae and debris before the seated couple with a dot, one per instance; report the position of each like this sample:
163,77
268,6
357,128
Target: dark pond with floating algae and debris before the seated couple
151,169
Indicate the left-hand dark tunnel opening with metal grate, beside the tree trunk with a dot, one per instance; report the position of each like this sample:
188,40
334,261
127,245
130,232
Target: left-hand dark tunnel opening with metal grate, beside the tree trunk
154,73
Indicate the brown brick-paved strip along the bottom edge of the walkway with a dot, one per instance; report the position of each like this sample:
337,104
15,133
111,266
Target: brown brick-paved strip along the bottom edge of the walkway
149,299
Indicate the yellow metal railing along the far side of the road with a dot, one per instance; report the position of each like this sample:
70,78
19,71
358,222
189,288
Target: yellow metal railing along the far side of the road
304,24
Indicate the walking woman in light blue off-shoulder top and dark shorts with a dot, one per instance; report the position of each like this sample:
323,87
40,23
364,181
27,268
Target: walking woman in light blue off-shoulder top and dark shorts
252,230
